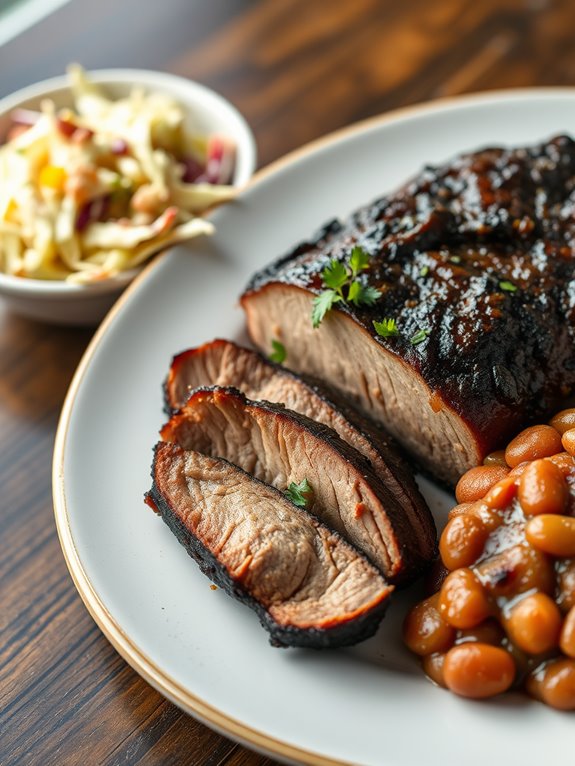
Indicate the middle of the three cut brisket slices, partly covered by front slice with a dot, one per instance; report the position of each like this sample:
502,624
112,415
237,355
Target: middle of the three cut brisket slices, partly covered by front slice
281,447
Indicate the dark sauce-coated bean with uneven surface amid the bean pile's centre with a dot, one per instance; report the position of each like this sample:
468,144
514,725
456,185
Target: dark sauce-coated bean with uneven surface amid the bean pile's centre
517,570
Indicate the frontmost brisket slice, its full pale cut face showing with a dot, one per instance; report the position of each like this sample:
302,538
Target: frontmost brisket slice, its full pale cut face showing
308,586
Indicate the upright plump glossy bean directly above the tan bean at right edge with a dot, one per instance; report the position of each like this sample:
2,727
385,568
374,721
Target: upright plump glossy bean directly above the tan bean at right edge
542,489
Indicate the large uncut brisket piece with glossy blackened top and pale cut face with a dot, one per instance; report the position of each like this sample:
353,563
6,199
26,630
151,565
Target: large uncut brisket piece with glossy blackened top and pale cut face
475,260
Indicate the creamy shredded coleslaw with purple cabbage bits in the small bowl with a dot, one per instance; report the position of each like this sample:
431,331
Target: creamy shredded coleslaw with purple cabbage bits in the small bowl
91,191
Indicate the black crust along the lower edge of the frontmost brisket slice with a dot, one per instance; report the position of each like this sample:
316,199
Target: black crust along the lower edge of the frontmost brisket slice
344,634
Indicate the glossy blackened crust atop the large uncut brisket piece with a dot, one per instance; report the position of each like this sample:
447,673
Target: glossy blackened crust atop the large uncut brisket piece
441,248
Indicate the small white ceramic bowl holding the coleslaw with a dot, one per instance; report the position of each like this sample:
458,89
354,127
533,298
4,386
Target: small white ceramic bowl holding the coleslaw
206,112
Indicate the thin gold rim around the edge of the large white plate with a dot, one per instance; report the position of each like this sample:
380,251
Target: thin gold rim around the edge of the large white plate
123,644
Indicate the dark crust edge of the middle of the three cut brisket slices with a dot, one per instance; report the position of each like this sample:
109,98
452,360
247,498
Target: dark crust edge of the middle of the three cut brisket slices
411,563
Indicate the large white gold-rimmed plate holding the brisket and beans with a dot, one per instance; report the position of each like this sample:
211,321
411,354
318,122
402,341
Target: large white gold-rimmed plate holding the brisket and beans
367,705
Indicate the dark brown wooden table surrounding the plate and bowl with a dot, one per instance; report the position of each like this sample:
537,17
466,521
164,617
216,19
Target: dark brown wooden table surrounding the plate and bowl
297,69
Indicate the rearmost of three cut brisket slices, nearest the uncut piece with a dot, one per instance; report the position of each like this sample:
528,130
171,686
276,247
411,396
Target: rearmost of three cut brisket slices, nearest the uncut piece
223,363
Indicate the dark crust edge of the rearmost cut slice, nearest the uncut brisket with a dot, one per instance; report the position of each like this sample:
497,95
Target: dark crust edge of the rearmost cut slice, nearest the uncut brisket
381,442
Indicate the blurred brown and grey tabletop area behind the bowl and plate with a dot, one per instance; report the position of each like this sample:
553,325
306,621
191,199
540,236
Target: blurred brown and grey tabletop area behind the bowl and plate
272,58
